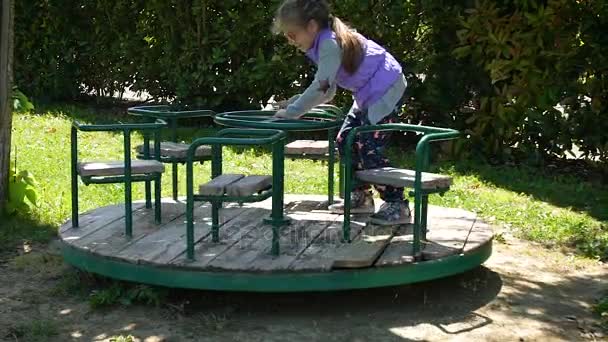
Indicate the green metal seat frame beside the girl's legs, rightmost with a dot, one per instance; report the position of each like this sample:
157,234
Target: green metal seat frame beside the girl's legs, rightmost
431,134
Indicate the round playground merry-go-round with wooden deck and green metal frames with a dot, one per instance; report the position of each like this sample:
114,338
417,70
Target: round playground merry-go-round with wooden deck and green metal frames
217,239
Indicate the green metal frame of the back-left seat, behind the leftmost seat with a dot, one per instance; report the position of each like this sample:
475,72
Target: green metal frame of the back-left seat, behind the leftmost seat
172,116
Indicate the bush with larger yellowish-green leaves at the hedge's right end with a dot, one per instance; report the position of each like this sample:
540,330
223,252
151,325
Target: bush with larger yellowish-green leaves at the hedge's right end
536,56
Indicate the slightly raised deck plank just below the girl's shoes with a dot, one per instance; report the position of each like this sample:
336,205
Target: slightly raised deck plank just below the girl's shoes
365,249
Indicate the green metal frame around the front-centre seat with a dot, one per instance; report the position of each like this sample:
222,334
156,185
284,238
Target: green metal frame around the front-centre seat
237,137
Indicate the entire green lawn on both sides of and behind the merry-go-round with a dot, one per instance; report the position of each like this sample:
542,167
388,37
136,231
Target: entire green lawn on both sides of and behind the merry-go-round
553,210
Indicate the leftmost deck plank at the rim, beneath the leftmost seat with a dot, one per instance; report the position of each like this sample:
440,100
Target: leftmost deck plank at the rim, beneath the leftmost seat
93,220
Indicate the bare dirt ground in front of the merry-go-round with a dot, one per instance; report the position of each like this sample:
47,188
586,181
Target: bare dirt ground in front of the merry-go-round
522,293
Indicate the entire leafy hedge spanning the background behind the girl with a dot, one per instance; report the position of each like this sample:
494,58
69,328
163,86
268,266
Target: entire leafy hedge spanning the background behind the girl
492,69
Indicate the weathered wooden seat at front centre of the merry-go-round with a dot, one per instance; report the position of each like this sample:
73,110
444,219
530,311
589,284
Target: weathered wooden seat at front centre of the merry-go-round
235,185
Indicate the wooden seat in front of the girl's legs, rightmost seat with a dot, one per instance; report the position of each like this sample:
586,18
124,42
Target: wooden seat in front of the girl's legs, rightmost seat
403,178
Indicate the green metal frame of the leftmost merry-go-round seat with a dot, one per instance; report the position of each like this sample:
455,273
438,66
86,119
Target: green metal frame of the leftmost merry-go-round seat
127,178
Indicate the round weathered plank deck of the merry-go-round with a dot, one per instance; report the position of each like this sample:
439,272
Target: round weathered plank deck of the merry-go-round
310,244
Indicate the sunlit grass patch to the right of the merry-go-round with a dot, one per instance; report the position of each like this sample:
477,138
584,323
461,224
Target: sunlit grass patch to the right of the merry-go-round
555,210
